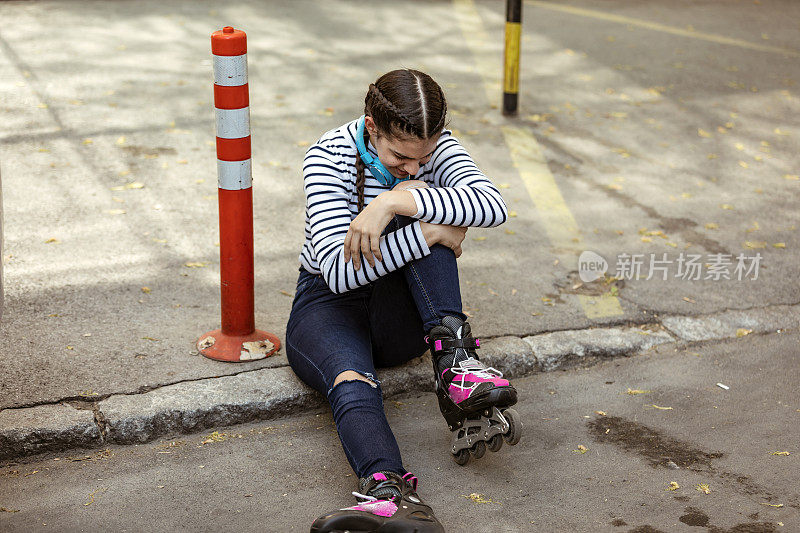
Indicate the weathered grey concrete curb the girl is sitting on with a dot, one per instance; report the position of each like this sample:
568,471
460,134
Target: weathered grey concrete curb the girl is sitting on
268,393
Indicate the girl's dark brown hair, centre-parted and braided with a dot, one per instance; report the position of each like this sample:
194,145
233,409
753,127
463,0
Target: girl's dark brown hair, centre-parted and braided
402,103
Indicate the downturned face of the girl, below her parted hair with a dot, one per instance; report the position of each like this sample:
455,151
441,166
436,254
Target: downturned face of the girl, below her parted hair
401,156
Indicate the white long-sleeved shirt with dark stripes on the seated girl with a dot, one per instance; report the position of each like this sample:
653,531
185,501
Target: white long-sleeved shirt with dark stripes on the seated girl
459,195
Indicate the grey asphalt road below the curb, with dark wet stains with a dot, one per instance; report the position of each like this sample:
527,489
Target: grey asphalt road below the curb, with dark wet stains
682,454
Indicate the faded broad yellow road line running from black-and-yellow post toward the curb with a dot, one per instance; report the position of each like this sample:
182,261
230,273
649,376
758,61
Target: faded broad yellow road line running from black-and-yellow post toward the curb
560,226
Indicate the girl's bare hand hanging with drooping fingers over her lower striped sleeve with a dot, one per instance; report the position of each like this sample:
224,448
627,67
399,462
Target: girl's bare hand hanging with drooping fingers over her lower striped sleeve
364,235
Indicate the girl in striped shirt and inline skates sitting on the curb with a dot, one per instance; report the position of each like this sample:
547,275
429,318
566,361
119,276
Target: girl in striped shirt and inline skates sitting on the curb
389,198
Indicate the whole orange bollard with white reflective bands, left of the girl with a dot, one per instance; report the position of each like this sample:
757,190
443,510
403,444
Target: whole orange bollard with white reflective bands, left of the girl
238,340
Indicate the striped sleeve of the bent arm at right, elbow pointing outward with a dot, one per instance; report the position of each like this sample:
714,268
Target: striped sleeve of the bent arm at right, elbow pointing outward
461,194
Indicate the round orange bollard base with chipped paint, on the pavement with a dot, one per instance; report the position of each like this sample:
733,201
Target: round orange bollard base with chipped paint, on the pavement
238,348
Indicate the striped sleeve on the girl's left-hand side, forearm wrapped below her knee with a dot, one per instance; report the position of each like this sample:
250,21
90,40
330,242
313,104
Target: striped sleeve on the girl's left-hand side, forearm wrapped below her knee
327,184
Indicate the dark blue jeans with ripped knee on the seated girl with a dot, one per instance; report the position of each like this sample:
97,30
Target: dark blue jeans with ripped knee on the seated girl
381,324
